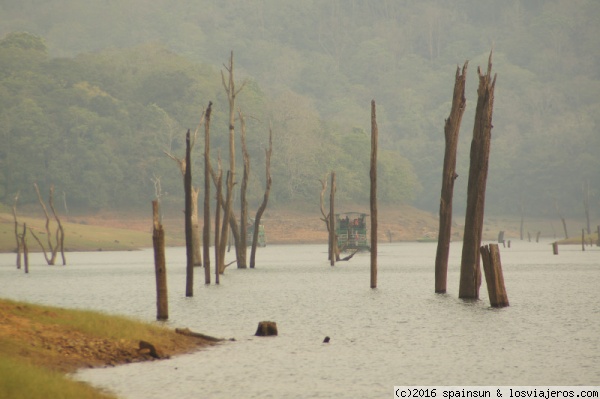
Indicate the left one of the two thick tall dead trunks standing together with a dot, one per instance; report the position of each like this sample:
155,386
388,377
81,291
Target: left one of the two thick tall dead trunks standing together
451,133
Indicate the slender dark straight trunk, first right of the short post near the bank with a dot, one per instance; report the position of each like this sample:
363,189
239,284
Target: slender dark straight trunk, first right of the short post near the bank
189,248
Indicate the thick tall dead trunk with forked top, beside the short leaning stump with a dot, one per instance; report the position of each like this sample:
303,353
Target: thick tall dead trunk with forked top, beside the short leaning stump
470,272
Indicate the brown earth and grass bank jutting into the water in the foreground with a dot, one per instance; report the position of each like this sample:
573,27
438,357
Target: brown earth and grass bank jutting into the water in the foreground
39,345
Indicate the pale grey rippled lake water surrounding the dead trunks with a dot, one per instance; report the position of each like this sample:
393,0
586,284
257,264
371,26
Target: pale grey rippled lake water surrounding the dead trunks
401,333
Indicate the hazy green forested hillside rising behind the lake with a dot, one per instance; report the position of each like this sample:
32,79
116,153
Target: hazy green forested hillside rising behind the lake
92,94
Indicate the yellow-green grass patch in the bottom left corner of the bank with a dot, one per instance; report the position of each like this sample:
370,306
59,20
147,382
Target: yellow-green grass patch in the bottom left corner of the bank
22,380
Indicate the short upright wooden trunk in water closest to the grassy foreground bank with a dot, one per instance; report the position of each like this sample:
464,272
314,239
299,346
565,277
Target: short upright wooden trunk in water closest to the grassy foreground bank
160,267
